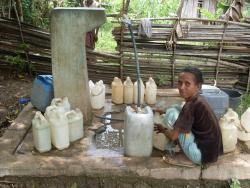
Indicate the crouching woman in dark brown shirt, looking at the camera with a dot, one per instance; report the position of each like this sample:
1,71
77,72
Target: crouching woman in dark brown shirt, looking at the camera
196,129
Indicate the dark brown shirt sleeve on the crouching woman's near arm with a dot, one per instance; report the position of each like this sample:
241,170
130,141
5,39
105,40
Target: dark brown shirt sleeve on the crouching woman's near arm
185,120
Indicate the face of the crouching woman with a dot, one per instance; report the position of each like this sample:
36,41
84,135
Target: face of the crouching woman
187,85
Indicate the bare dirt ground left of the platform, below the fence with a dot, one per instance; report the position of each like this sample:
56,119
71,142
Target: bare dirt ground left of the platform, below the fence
11,90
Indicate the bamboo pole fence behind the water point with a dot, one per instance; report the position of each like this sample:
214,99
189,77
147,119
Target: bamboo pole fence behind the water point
219,48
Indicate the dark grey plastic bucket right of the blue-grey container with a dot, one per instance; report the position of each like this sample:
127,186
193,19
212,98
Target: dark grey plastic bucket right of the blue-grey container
234,97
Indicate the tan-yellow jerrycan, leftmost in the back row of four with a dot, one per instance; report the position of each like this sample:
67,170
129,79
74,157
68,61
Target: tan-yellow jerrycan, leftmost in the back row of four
117,91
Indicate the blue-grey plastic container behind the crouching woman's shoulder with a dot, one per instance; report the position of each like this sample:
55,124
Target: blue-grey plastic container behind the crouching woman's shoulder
218,101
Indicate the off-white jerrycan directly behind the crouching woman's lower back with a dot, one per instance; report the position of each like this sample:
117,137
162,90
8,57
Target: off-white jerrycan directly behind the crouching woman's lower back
229,134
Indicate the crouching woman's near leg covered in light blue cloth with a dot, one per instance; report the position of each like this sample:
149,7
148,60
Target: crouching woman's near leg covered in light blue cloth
189,147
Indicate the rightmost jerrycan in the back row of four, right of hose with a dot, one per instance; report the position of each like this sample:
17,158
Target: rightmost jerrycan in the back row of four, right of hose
151,91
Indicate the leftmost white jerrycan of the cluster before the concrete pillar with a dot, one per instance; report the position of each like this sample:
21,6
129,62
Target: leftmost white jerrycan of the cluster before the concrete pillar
41,133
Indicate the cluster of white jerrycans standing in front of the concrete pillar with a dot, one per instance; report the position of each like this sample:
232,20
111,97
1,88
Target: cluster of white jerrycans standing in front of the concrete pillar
60,126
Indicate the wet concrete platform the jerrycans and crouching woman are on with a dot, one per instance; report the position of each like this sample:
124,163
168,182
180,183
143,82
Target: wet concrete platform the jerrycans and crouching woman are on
84,165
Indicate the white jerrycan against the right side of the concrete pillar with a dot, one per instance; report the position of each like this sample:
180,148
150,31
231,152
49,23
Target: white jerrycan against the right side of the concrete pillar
97,95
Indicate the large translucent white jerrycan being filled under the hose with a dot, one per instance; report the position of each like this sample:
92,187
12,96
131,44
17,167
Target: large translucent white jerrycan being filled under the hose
138,132
